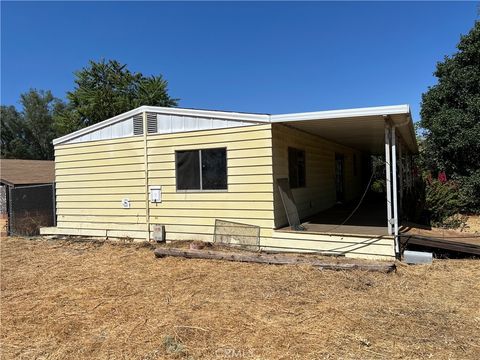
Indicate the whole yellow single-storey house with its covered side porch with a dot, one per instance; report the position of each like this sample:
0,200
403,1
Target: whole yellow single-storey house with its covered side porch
171,173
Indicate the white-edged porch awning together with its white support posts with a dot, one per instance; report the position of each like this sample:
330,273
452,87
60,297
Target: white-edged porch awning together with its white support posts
378,130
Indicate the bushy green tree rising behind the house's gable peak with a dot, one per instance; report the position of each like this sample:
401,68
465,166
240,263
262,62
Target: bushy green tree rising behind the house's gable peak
107,88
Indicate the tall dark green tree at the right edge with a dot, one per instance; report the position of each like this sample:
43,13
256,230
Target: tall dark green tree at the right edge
450,117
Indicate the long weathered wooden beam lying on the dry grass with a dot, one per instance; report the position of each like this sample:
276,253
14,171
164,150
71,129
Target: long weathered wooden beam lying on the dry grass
276,259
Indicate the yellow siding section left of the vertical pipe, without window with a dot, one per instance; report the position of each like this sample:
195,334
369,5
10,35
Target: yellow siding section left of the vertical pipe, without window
90,175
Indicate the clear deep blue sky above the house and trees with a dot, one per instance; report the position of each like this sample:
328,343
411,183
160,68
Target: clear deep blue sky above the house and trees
253,57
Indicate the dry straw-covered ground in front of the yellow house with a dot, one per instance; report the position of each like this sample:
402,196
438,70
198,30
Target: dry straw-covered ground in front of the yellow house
71,300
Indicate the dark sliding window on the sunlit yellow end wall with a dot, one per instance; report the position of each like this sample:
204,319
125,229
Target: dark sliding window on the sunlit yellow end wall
201,169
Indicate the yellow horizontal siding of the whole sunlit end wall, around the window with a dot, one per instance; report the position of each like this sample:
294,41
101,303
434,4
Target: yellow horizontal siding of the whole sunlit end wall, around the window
93,178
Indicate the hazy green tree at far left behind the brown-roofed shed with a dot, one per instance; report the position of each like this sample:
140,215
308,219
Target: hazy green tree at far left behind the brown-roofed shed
28,134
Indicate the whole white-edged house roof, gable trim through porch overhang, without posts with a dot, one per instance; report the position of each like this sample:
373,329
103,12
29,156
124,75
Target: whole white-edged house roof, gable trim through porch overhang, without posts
361,128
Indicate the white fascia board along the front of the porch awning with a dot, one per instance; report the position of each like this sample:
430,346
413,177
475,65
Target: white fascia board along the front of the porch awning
346,113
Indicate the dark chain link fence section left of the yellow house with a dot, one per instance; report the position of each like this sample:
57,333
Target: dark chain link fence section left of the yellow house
30,208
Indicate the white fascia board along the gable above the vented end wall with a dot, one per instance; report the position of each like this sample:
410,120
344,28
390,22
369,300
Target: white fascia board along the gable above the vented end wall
222,115
